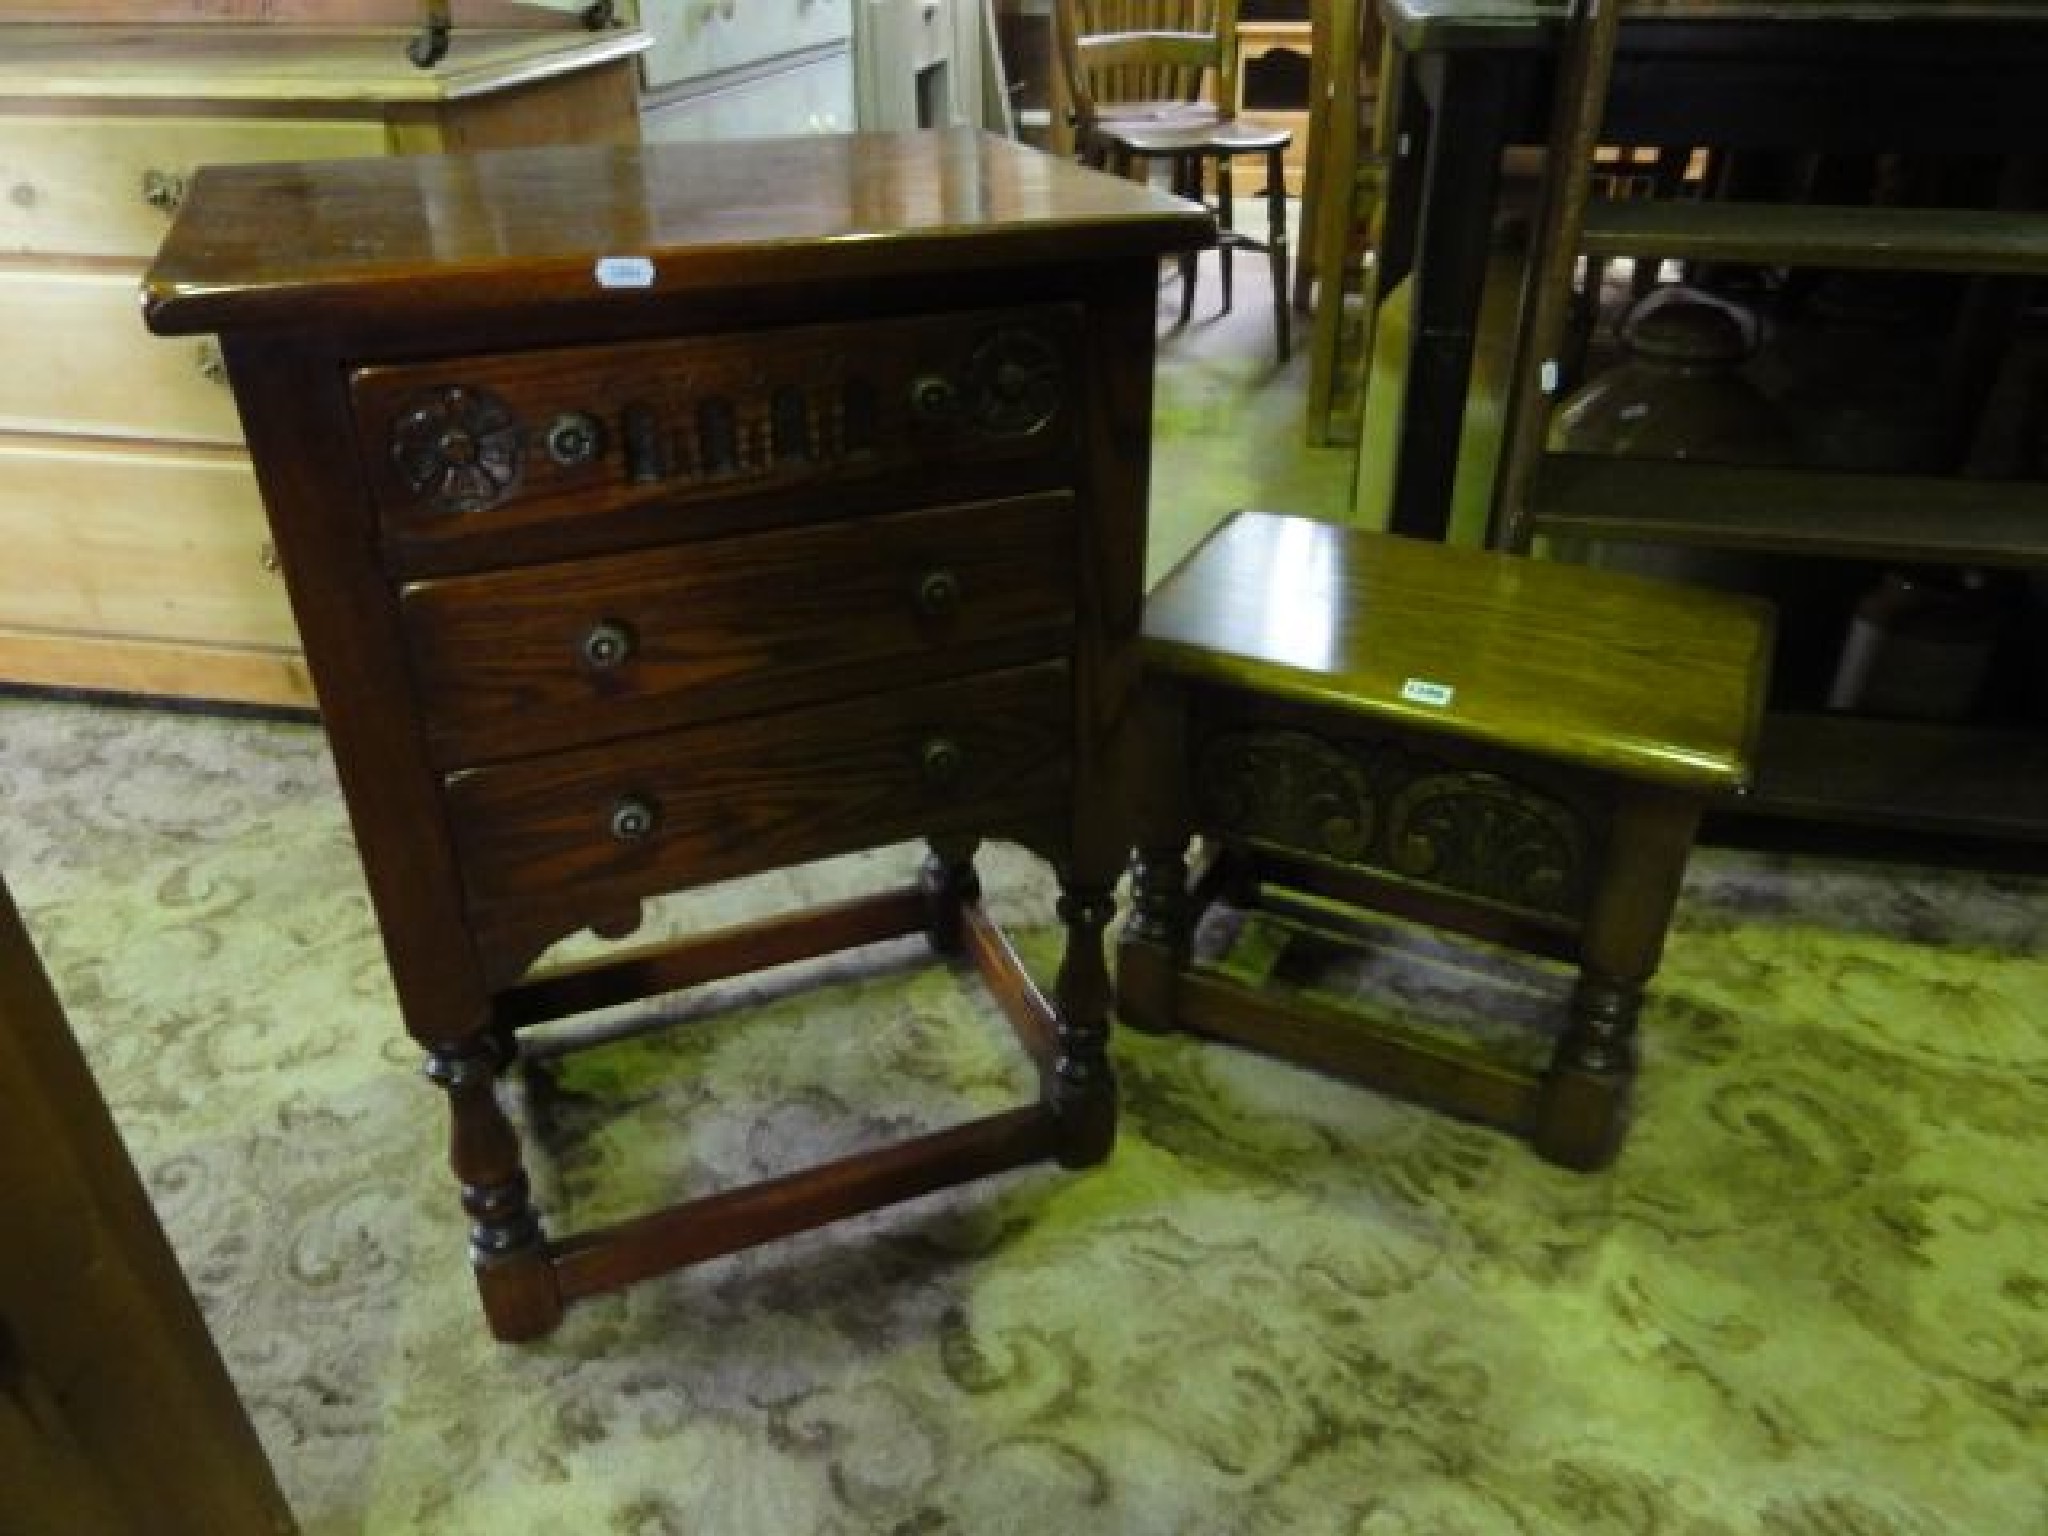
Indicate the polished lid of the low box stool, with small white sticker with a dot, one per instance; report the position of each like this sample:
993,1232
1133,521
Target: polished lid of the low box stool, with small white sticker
1648,679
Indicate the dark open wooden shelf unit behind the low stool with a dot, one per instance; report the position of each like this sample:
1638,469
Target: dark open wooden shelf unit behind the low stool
1981,779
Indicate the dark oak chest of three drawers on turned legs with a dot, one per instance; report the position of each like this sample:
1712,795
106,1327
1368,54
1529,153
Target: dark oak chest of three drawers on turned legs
667,515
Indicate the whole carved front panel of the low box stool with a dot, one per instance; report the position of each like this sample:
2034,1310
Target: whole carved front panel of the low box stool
1377,804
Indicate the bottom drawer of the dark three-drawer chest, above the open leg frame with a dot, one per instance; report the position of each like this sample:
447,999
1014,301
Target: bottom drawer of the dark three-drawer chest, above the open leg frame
689,808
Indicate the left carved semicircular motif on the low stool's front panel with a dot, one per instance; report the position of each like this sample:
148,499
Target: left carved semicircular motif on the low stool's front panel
1287,787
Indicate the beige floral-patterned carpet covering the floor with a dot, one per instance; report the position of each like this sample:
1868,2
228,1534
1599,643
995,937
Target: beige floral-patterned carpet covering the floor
1811,1297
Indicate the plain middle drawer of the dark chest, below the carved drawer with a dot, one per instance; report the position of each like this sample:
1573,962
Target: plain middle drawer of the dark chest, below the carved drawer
552,656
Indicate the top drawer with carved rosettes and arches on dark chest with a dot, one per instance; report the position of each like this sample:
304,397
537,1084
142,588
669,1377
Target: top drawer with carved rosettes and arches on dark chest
574,450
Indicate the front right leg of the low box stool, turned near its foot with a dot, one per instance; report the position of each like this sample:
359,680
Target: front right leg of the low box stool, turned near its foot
1580,1109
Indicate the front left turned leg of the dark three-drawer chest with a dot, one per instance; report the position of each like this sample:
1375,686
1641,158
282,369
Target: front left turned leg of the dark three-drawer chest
507,1248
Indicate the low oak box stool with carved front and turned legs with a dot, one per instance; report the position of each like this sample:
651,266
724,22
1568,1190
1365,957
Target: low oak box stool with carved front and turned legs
1514,751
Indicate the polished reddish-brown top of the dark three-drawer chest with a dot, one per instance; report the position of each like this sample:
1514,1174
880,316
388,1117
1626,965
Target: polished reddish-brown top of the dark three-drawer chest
290,245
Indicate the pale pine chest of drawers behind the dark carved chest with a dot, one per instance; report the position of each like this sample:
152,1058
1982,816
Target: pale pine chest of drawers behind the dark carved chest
138,556
